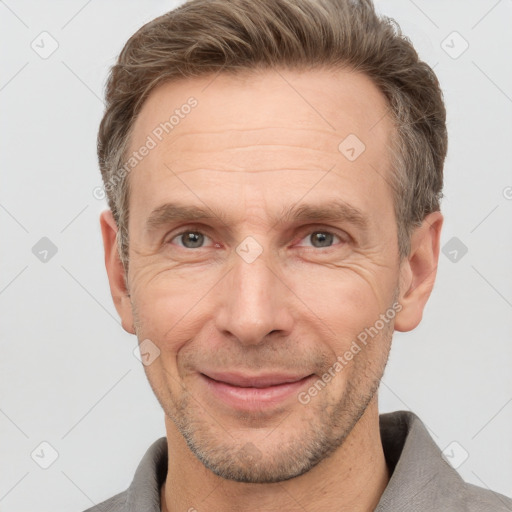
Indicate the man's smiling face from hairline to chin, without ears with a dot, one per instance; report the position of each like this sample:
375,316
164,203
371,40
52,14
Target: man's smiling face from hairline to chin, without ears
296,255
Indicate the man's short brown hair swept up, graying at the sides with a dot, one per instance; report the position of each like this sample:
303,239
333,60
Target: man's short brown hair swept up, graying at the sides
230,36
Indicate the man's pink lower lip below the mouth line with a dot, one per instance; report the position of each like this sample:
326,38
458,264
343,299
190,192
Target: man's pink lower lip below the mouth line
254,398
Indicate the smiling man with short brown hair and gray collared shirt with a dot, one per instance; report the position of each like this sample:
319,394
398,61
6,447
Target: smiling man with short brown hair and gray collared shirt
274,171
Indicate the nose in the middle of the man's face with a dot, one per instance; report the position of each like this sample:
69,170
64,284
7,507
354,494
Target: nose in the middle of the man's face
254,302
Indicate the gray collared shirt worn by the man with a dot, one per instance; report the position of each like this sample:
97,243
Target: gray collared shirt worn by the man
421,480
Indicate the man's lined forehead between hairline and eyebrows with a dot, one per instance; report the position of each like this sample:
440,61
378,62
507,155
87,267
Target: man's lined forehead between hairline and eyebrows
255,129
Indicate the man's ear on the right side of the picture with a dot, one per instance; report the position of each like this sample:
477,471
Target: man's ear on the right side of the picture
418,272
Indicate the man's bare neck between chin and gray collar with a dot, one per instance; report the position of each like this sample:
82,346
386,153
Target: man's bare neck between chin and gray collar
352,479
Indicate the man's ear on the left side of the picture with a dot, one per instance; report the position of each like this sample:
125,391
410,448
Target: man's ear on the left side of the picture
115,271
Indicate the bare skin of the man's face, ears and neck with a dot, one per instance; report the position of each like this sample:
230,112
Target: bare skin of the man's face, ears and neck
254,145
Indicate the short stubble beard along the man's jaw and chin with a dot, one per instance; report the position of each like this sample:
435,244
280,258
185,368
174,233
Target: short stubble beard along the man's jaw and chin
323,428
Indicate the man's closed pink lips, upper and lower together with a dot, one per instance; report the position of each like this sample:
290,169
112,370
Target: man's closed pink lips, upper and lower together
254,392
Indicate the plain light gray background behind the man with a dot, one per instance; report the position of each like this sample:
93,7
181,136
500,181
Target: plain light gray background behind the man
68,373
